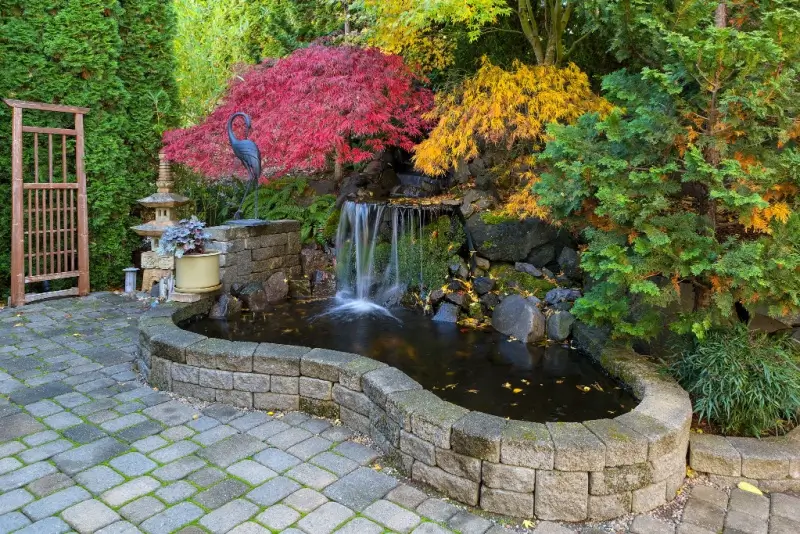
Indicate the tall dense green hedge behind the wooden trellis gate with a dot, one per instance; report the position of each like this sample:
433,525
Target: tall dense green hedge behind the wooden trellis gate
115,57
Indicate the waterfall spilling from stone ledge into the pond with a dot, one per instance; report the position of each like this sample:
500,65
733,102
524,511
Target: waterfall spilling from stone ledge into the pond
361,227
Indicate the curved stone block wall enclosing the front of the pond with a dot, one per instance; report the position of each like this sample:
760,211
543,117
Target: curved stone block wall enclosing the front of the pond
556,471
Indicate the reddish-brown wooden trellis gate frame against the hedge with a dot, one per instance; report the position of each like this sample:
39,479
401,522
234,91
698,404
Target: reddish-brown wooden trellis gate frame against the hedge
49,223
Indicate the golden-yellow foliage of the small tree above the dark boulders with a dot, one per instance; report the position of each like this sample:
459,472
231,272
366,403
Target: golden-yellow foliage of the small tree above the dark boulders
503,108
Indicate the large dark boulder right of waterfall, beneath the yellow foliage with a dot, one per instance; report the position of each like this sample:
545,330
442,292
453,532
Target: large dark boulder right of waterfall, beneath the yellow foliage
509,240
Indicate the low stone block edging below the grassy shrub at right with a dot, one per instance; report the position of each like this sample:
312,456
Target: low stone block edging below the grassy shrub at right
771,464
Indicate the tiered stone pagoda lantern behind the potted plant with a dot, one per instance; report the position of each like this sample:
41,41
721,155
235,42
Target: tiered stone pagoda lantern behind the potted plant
164,202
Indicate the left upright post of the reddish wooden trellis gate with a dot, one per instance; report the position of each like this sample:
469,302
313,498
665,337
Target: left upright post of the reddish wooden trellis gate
17,236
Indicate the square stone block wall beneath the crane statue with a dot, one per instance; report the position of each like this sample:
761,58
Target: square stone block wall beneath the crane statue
254,253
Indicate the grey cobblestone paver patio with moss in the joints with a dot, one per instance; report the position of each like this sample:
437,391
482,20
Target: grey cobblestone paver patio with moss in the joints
85,447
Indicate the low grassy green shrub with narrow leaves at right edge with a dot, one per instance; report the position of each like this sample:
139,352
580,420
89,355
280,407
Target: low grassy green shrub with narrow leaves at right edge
746,383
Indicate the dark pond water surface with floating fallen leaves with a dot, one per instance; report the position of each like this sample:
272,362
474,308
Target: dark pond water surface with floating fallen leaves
479,370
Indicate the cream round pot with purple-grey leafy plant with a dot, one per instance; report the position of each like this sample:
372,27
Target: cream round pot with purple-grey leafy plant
196,270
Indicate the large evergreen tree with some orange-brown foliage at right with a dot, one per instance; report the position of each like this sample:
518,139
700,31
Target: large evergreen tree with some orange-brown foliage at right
693,178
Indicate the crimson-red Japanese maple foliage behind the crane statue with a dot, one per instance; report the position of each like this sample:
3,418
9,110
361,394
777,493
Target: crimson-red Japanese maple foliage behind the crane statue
307,108
